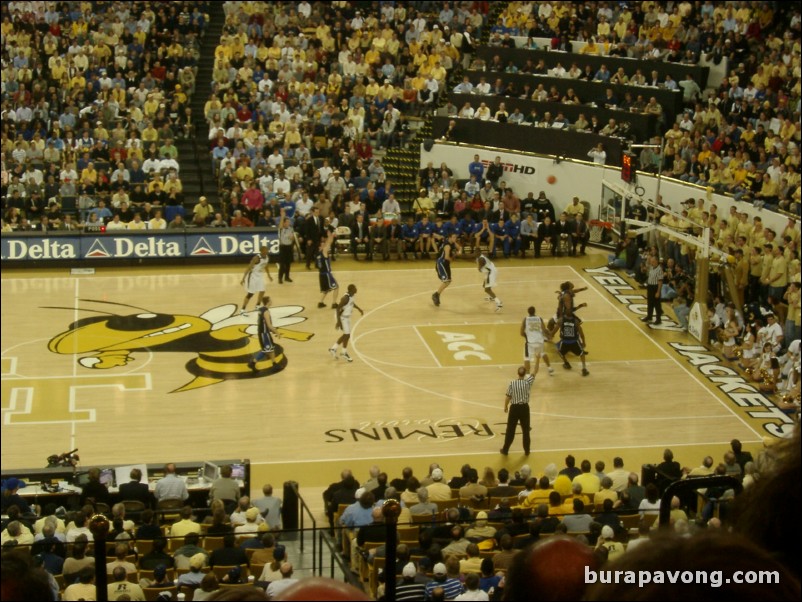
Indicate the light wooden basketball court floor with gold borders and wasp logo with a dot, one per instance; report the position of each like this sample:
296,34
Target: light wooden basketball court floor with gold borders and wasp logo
149,365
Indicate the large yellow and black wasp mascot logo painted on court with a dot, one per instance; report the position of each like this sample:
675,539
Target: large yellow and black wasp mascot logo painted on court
222,339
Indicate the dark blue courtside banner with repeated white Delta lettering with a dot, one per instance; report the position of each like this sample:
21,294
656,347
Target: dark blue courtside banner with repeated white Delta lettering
188,244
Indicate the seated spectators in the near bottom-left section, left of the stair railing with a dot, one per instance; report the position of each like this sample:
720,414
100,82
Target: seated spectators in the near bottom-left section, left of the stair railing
150,548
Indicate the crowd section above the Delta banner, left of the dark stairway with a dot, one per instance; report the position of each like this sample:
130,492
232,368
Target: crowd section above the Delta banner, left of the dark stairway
94,97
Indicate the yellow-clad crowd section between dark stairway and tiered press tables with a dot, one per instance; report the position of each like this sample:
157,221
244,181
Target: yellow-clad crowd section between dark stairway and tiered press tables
303,94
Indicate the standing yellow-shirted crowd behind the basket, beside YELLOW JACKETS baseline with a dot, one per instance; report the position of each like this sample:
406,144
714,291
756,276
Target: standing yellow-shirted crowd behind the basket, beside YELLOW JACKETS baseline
753,315
